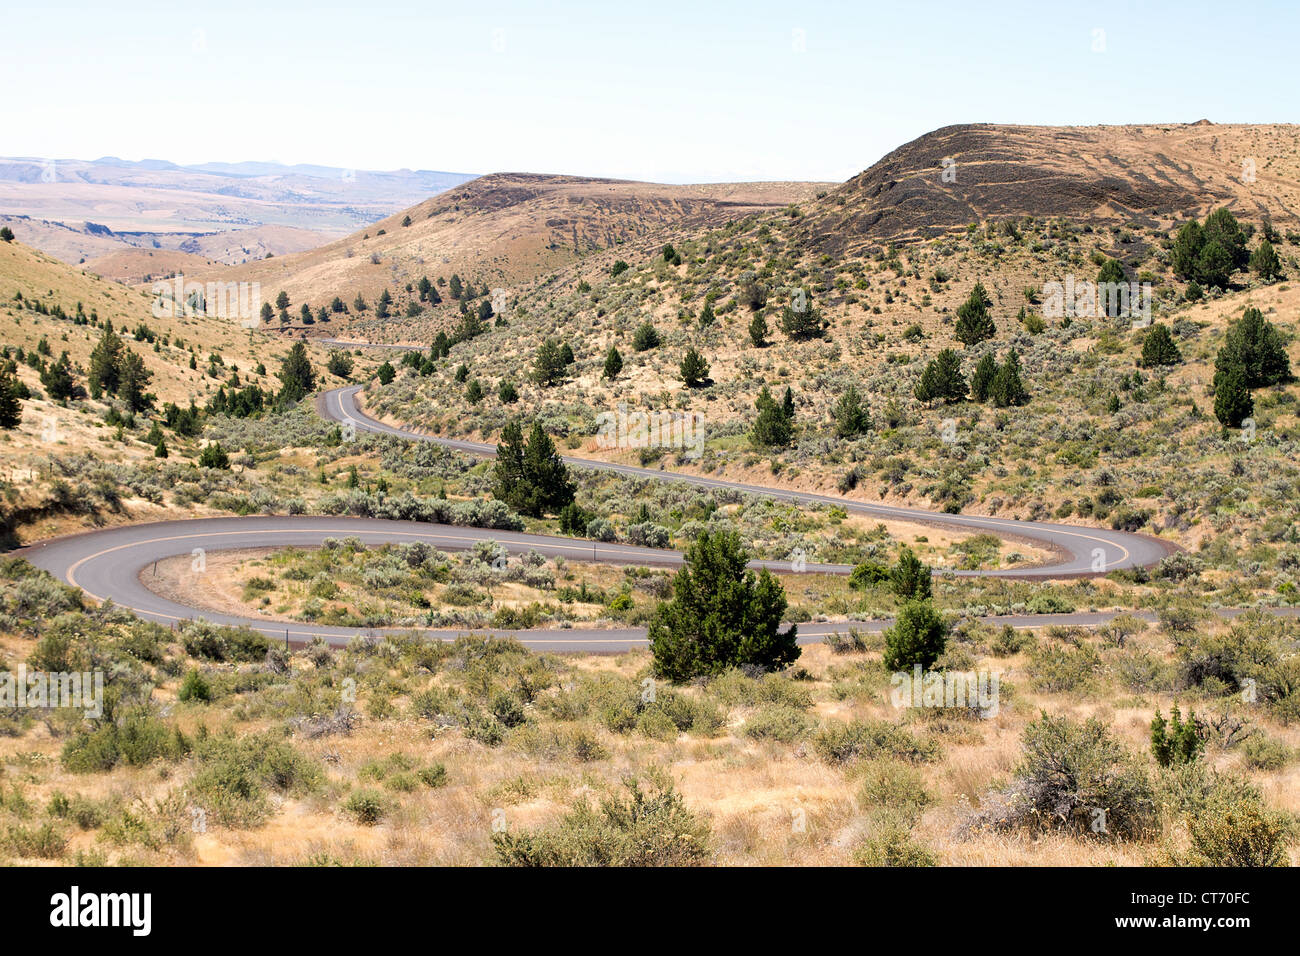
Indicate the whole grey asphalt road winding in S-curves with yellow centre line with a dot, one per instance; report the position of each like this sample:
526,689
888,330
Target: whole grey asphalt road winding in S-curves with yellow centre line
112,564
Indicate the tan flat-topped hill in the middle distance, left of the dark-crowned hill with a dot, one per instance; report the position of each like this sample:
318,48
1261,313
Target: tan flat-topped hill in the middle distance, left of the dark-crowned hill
508,230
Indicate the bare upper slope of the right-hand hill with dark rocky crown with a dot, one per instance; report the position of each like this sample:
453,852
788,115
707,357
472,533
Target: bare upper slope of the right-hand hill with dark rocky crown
1147,175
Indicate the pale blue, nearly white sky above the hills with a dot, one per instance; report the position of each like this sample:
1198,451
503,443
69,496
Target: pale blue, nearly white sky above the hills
651,90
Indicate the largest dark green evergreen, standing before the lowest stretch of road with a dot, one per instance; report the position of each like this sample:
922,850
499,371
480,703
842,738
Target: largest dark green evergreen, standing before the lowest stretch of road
721,616
